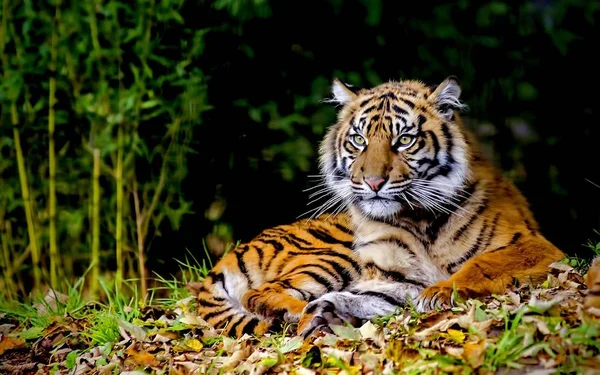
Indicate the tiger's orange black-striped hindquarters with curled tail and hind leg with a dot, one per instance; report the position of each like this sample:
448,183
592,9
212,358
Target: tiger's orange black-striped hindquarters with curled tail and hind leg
270,279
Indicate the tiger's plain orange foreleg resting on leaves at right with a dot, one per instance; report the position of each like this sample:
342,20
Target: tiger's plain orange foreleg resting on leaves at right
525,261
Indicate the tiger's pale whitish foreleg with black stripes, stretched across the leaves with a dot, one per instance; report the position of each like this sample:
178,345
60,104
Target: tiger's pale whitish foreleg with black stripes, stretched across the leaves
364,300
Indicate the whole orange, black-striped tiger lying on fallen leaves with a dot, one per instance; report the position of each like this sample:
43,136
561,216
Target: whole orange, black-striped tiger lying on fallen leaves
429,218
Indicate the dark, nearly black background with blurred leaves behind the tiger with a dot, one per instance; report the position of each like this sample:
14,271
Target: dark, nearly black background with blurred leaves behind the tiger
527,69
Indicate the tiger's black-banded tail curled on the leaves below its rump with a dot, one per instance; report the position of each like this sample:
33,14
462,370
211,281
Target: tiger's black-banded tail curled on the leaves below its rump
220,307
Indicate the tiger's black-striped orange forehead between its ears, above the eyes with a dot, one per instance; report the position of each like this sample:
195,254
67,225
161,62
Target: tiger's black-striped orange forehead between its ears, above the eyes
390,108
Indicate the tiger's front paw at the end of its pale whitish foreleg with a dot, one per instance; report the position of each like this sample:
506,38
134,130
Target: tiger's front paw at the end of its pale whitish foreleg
319,316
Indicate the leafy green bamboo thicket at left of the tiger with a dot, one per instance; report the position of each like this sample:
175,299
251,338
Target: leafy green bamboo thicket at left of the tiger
122,90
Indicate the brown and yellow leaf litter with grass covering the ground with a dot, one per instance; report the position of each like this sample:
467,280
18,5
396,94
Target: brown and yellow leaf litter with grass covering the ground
538,330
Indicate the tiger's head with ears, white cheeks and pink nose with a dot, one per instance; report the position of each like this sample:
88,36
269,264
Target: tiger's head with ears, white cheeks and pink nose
395,146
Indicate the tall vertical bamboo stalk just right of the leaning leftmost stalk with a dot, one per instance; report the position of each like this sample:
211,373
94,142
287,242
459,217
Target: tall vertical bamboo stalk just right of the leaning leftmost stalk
54,255
